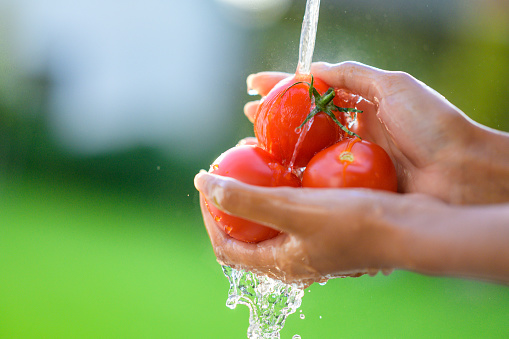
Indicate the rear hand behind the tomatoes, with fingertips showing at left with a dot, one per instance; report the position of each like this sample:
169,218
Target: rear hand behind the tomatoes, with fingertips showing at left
437,150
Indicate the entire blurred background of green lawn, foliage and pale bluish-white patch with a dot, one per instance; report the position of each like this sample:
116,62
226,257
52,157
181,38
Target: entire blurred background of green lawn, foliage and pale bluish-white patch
108,109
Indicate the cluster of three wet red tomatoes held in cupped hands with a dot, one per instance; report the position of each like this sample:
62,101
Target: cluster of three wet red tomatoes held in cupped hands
302,141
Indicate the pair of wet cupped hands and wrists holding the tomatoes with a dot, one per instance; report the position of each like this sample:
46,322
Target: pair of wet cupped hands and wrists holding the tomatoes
452,219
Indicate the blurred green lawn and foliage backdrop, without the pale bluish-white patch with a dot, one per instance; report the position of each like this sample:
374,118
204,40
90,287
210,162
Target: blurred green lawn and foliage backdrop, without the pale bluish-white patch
113,246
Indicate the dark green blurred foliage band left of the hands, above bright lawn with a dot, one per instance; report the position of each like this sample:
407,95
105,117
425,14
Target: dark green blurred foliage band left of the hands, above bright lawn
27,149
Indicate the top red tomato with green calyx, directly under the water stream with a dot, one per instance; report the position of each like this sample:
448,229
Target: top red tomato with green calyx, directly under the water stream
283,110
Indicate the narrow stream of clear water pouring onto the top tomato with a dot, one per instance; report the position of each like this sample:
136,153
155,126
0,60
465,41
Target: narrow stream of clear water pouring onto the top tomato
308,36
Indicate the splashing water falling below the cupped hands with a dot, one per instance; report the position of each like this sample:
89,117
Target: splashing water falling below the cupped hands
269,301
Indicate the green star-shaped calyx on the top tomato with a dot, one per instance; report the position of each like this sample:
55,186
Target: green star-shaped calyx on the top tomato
324,103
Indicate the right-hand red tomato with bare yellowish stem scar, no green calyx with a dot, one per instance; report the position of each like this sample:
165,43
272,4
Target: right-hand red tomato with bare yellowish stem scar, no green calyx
351,163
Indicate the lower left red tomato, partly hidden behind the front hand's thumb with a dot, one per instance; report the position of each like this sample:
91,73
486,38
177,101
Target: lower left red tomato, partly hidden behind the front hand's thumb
251,165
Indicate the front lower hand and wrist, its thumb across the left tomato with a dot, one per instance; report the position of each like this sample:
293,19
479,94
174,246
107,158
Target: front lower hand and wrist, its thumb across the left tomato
346,232
